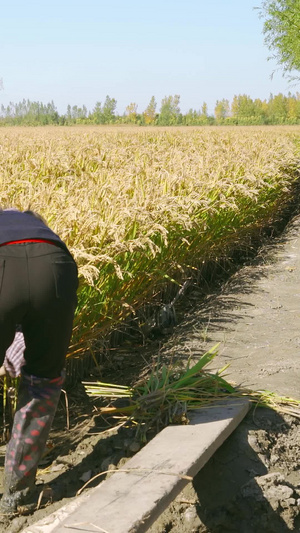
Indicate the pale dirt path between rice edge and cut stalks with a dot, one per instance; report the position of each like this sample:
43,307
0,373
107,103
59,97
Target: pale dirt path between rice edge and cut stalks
255,318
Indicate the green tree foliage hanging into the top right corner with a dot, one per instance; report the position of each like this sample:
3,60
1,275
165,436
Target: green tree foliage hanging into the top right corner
282,30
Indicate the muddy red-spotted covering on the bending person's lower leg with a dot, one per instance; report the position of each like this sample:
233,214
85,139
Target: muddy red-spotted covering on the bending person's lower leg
36,407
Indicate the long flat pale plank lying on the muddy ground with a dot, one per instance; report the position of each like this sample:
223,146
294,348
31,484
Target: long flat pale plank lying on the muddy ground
129,502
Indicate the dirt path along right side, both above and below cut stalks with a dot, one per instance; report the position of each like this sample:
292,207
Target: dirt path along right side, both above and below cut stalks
252,484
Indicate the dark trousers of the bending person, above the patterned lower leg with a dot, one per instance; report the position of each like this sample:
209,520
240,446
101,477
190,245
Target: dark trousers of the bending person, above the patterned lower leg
38,283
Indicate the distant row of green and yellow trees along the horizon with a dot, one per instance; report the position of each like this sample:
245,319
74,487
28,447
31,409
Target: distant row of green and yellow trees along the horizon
242,110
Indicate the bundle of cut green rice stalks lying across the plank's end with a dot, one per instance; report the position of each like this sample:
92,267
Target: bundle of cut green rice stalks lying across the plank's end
170,392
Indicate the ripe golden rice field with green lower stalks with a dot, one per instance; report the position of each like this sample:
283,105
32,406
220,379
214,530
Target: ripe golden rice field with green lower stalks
142,207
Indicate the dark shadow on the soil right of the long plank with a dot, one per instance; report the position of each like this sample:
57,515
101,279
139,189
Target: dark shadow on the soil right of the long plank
236,501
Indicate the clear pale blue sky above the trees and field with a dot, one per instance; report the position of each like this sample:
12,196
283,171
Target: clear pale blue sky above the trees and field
78,51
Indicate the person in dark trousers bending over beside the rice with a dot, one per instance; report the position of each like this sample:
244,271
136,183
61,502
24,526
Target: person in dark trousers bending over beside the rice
38,283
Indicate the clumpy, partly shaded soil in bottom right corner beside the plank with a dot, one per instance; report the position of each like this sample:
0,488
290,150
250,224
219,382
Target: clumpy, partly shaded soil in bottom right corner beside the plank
244,487
